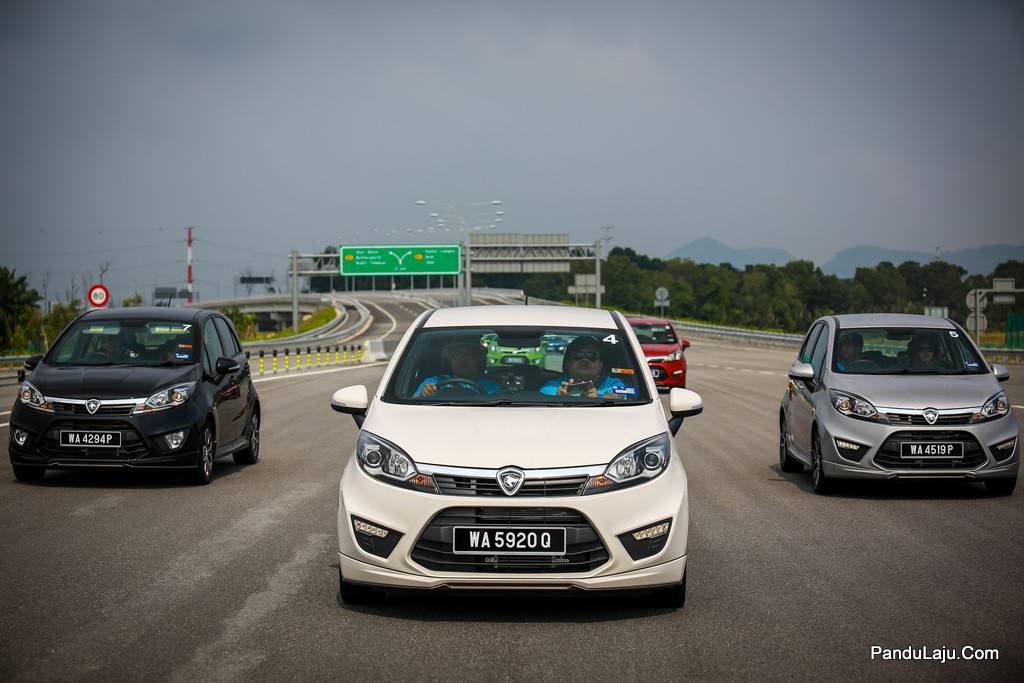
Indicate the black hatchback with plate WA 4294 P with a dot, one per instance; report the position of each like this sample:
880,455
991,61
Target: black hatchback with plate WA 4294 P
147,389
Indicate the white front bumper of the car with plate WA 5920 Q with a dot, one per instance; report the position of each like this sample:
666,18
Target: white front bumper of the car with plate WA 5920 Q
414,516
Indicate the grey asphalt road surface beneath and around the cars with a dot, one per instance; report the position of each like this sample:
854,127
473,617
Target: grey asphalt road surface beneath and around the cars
135,576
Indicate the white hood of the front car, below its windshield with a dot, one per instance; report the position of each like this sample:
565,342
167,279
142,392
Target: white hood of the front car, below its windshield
528,438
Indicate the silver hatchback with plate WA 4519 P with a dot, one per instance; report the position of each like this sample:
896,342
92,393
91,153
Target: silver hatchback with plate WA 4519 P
884,397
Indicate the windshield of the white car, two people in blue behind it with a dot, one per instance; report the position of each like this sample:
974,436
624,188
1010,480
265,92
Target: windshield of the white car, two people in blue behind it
519,367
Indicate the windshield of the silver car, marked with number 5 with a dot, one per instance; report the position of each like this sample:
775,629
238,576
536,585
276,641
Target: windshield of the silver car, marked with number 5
905,351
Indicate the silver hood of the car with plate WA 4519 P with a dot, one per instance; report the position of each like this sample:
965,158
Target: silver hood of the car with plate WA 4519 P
918,392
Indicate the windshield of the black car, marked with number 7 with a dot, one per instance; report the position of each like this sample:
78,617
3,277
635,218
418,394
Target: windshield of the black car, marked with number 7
125,344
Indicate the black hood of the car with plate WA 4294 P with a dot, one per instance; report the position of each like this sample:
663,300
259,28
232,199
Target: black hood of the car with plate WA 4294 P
108,381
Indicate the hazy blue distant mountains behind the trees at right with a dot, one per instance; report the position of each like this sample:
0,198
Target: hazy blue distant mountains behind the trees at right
980,261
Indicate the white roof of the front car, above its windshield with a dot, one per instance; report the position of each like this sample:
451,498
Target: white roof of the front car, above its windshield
552,317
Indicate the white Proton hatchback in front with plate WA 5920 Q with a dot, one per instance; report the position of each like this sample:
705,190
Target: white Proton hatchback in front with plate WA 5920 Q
562,476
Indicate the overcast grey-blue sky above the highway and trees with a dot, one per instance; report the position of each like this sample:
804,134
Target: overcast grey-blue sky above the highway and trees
272,127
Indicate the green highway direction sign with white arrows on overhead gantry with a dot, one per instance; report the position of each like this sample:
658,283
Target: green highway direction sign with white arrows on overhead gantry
401,261
